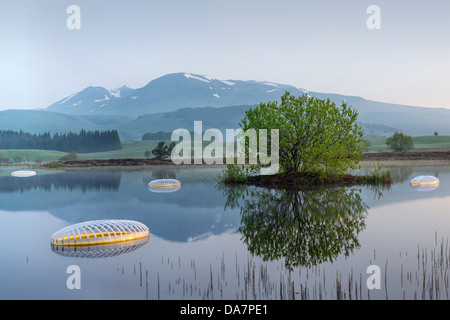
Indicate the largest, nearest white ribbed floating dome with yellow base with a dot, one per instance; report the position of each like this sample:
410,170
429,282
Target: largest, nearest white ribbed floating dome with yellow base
99,232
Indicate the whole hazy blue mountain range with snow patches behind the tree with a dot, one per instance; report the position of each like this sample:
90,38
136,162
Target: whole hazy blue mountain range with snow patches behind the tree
177,100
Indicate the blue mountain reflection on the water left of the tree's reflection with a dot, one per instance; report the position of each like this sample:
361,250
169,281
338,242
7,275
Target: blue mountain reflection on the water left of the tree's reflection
192,213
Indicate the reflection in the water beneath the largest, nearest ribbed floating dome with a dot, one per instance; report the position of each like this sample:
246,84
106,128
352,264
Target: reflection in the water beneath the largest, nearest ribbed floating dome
99,251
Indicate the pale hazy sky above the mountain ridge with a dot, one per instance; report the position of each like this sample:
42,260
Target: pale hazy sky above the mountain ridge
322,46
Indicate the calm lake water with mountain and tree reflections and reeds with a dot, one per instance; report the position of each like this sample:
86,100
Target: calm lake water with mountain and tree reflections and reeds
210,242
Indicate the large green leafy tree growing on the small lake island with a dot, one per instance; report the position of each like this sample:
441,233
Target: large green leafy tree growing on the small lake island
315,135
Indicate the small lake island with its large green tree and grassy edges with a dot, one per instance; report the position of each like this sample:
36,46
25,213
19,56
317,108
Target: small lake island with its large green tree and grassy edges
318,142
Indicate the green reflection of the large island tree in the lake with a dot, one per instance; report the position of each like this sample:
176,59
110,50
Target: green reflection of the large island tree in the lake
305,228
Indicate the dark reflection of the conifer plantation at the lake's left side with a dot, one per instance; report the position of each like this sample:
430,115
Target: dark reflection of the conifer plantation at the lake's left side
80,180
